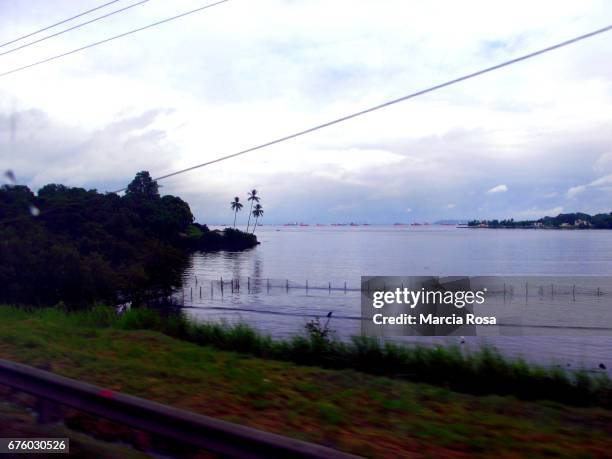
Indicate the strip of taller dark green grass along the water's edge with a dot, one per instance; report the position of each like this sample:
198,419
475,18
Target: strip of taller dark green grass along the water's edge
481,372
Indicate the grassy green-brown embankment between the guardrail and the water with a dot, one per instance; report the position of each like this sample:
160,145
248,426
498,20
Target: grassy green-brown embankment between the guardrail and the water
350,410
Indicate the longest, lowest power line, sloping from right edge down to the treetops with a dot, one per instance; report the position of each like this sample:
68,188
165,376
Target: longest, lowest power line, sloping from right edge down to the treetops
389,103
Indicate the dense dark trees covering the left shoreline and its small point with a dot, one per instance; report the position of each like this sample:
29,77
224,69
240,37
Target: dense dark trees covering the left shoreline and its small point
79,246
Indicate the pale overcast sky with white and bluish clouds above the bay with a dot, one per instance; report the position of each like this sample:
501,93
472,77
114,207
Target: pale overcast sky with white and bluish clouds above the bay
531,140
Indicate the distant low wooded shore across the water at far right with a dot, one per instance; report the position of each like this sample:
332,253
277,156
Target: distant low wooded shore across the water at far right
571,221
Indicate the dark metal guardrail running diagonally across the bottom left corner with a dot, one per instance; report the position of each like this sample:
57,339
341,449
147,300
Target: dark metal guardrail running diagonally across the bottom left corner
204,432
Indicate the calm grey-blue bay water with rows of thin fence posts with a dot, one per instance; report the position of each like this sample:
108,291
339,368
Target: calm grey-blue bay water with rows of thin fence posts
273,296
